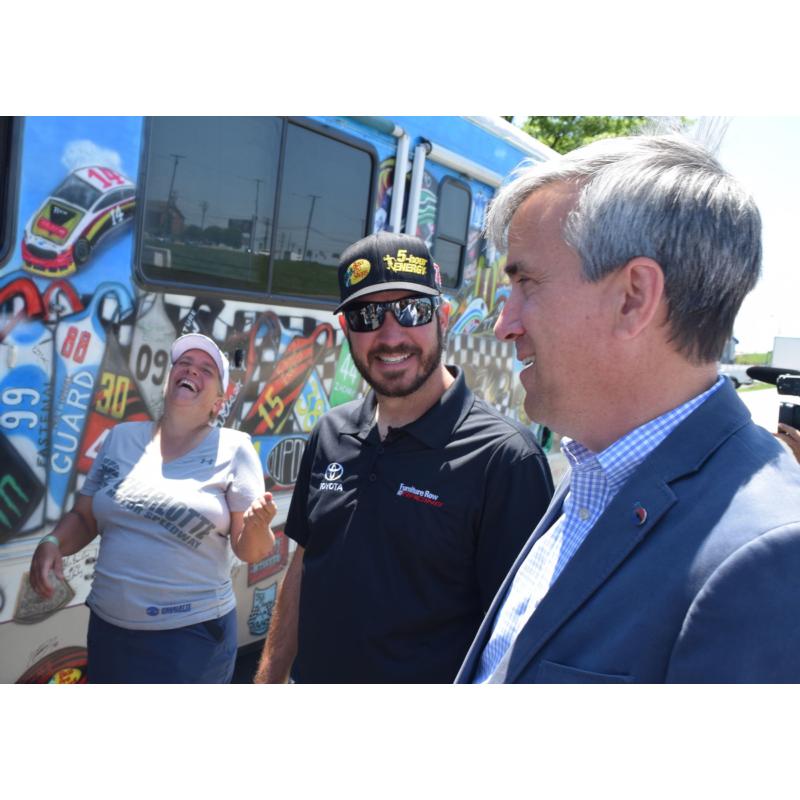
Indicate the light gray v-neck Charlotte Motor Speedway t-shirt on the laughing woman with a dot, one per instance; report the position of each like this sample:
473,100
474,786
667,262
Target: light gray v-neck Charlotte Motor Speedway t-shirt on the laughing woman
164,558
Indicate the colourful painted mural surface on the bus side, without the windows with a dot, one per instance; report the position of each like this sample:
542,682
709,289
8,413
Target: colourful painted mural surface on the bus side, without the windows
82,348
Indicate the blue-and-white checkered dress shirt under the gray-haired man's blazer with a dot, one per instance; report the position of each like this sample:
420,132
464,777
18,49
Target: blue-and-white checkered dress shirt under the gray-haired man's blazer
594,480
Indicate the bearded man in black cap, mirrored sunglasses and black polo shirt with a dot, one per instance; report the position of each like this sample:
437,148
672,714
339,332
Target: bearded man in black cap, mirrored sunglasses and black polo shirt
411,503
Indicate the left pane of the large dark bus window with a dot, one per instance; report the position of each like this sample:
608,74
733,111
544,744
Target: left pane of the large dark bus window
209,193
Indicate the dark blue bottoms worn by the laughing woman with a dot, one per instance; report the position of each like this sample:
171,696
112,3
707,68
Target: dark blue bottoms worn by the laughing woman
201,653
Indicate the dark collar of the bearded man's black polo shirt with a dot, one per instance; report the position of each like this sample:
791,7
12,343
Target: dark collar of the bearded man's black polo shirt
435,427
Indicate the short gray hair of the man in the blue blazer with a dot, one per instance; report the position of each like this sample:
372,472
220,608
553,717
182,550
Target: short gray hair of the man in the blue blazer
665,198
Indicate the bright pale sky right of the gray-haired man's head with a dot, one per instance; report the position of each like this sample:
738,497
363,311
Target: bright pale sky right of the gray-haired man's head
763,153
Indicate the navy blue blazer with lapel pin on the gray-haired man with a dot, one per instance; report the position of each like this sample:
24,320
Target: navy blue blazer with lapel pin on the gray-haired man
705,589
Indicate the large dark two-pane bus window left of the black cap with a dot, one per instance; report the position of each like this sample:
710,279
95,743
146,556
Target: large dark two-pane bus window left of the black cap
224,210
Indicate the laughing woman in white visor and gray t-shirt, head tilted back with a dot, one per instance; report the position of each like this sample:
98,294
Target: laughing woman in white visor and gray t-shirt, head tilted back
167,499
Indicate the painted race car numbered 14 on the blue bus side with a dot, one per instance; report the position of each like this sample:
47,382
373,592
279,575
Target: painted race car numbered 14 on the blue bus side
88,205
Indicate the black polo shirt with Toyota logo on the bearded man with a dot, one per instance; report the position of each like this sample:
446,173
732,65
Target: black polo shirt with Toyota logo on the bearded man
408,539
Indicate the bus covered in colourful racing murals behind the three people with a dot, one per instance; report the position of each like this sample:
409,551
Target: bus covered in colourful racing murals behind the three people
119,234
